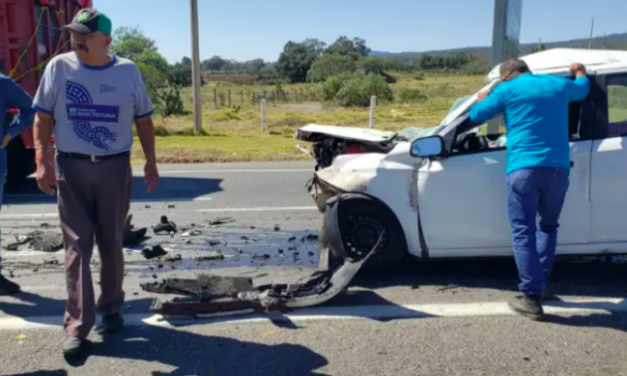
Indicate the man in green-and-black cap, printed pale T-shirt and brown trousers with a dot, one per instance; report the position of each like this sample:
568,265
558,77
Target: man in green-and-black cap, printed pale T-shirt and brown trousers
94,98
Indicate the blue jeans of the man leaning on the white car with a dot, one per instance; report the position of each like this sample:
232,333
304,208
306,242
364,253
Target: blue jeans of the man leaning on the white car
535,197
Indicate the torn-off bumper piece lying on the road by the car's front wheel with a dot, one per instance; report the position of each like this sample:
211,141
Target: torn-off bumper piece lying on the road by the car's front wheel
209,295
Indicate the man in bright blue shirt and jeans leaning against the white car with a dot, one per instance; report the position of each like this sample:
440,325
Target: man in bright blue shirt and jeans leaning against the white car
535,111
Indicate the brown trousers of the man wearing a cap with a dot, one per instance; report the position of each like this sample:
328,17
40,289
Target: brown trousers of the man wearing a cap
94,200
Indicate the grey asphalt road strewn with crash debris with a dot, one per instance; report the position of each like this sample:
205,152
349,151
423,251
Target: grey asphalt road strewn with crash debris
437,318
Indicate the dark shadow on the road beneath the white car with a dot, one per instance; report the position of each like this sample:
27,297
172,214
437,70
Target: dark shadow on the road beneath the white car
570,276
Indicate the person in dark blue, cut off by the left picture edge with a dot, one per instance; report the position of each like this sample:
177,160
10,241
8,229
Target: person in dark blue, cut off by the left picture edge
12,97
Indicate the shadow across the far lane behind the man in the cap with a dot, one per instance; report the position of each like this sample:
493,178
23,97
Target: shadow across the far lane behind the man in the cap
169,188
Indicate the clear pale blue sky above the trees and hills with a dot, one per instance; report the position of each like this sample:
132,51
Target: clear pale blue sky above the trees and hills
248,29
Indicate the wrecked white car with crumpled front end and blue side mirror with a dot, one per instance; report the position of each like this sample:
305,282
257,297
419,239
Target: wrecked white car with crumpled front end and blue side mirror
441,191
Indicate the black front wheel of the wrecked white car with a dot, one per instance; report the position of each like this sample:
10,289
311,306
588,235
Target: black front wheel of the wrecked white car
360,221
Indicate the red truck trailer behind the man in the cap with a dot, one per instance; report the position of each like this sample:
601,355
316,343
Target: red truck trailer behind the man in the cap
30,36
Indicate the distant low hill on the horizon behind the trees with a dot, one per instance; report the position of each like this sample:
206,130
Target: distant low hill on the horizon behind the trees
613,41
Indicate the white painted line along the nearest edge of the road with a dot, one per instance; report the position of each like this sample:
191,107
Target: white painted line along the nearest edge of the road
378,312
